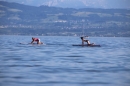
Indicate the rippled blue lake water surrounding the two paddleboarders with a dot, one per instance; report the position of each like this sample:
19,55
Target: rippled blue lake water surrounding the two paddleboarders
58,63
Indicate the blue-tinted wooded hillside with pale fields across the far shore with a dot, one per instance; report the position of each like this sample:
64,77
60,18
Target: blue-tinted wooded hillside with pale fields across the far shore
21,19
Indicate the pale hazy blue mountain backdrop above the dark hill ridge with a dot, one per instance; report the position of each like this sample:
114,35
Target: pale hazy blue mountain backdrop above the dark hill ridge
88,3
